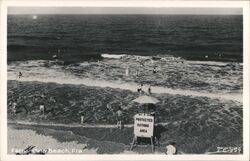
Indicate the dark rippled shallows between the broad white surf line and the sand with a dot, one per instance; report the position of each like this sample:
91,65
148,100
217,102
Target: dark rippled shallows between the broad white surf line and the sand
188,115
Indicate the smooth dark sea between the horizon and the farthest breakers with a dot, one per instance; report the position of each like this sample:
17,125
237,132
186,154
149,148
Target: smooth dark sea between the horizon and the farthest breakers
75,38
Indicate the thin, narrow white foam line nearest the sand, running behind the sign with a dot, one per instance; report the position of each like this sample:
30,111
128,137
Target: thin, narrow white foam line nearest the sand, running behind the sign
76,125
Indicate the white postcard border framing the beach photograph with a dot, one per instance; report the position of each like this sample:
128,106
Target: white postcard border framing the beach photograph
103,3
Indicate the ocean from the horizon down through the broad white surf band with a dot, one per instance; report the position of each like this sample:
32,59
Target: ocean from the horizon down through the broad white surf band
190,53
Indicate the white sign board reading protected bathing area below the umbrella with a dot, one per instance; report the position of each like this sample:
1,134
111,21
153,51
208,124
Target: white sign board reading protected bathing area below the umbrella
144,125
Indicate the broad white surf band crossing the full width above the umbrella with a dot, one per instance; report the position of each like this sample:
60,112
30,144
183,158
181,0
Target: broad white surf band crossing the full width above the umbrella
132,87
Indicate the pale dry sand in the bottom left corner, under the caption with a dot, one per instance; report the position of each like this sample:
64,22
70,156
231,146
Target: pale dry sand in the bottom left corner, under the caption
18,140
